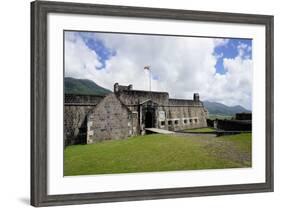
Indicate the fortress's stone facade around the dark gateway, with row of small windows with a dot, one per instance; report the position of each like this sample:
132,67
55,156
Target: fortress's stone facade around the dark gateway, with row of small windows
179,114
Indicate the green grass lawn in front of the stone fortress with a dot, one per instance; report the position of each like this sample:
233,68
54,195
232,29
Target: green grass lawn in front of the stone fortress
157,152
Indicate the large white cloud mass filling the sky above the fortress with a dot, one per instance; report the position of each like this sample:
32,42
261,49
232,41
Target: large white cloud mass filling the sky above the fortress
183,66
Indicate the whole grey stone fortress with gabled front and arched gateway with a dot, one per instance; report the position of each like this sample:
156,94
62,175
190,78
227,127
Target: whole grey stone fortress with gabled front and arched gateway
127,112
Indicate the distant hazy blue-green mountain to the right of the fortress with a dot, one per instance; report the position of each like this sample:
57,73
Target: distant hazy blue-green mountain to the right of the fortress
215,108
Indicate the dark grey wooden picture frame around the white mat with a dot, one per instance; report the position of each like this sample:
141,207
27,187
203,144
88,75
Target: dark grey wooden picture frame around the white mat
39,98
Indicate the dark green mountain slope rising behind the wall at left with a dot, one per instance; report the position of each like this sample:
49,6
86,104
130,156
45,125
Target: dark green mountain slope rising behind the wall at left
83,87
